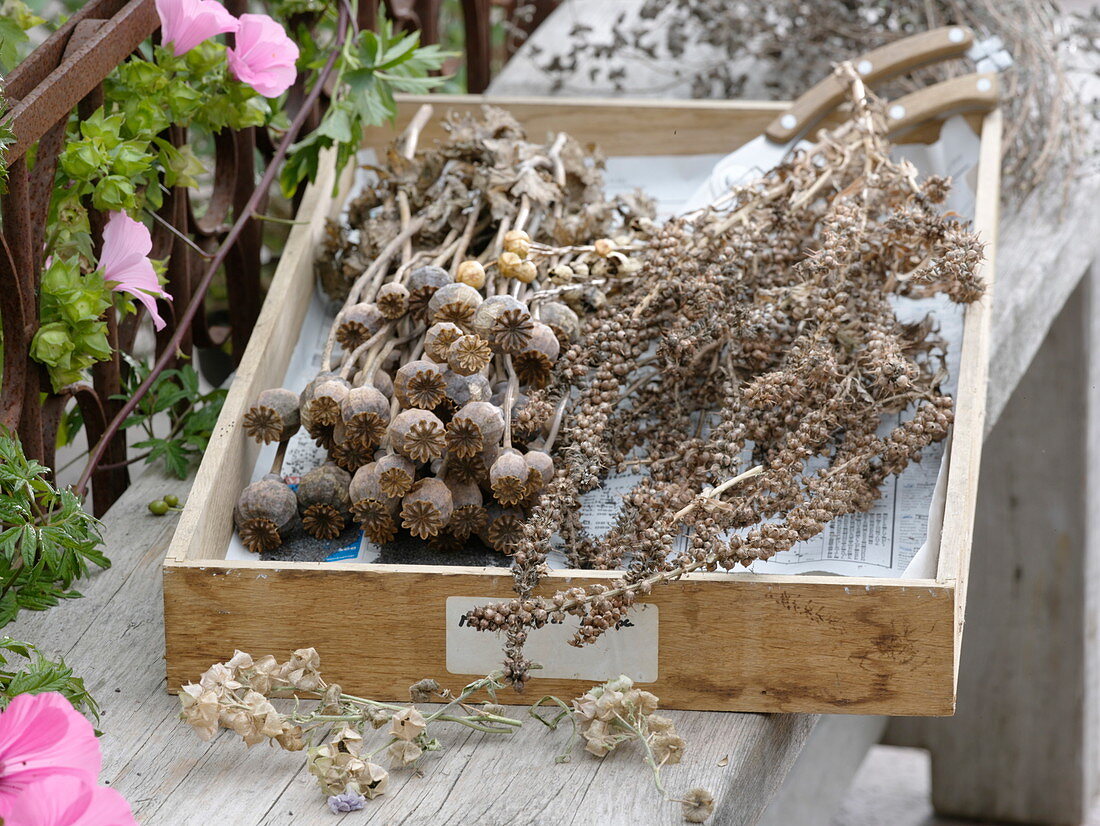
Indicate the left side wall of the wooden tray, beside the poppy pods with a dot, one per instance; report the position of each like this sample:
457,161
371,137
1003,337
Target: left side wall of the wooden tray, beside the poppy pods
206,524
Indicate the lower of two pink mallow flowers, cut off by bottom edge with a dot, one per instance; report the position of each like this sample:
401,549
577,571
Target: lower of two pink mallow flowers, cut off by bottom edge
68,801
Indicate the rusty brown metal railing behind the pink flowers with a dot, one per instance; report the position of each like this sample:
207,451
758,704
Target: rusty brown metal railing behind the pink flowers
65,74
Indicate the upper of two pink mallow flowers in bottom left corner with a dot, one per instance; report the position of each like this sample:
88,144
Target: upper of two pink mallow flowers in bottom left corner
43,736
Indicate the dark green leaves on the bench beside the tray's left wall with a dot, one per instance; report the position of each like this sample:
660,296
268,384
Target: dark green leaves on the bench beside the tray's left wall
192,416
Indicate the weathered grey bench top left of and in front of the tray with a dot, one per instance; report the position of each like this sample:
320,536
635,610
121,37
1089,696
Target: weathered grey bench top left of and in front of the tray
114,637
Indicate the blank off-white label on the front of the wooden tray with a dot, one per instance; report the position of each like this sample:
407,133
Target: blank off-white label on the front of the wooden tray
631,649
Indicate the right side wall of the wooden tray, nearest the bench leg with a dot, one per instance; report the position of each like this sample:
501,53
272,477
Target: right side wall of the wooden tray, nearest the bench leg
965,459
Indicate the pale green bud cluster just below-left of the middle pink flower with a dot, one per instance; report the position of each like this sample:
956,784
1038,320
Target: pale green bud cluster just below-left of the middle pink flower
72,336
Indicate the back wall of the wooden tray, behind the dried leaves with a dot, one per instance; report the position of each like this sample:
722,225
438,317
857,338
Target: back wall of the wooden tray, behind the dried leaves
620,126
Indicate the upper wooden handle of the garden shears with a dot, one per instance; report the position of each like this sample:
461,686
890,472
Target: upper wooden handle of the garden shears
881,64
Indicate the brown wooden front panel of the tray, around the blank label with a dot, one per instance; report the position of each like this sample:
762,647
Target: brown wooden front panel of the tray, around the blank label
724,644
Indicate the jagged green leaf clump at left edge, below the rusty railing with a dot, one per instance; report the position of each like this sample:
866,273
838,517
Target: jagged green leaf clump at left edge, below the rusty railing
47,538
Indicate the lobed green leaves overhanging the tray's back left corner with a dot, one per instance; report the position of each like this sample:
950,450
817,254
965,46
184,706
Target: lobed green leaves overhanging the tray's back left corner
372,69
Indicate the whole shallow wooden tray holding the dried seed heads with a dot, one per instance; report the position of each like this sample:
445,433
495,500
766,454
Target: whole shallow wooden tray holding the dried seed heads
728,643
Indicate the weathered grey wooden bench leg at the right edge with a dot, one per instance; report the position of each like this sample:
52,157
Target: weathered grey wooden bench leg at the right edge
1024,745
